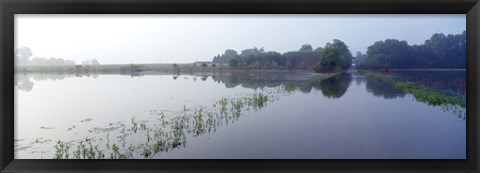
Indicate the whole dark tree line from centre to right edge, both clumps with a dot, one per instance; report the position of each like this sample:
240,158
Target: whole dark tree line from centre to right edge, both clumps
440,51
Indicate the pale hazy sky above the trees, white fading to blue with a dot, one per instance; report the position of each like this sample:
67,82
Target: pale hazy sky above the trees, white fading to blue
186,38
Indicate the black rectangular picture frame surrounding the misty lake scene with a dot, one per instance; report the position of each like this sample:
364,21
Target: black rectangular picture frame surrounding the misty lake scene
10,7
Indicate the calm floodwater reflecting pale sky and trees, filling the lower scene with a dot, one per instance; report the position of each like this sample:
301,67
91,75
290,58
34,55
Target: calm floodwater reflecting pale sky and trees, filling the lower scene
232,116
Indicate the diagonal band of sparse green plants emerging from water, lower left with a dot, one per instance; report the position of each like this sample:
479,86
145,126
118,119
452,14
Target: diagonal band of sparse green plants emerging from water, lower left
171,132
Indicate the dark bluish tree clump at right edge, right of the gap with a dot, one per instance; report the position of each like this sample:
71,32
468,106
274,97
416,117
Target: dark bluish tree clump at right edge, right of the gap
440,51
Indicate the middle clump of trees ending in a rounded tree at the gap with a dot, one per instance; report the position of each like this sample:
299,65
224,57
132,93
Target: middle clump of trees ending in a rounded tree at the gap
332,57
